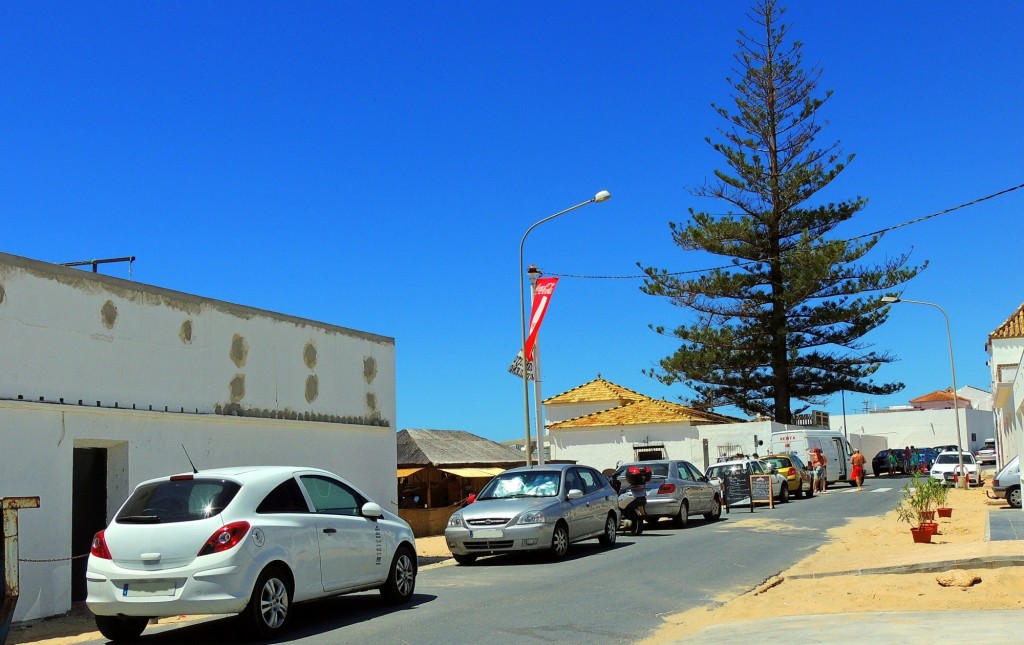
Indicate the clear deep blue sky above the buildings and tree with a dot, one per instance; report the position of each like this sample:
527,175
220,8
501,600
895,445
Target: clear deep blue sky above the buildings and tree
375,166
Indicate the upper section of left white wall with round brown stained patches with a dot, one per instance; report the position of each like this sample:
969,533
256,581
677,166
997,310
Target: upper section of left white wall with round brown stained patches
87,337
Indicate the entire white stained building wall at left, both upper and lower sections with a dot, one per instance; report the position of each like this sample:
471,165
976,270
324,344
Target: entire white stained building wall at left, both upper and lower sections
240,385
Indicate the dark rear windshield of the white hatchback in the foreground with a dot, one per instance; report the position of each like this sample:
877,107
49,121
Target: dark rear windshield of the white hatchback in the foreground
178,501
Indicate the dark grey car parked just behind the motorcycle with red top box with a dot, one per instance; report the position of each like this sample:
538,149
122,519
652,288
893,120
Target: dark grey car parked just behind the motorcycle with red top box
677,490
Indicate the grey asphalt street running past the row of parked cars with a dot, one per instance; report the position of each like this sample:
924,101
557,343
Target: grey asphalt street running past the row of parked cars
596,595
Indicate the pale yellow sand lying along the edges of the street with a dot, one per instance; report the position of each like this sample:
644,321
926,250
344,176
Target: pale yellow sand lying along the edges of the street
829,581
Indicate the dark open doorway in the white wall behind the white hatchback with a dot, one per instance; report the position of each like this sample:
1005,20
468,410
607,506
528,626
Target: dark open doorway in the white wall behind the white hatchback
89,511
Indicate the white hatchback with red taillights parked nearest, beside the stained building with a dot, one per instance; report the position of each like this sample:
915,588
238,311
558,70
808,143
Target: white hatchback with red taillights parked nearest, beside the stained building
249,541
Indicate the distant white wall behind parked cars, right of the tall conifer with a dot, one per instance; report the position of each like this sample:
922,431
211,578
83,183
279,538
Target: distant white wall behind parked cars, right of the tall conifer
922,428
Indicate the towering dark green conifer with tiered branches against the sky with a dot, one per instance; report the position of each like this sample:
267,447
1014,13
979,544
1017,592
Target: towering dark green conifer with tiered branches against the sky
785,321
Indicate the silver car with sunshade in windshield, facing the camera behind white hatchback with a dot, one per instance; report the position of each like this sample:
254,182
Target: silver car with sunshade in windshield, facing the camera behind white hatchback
535,508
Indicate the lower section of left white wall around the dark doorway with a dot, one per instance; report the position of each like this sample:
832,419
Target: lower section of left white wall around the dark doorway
39,440
